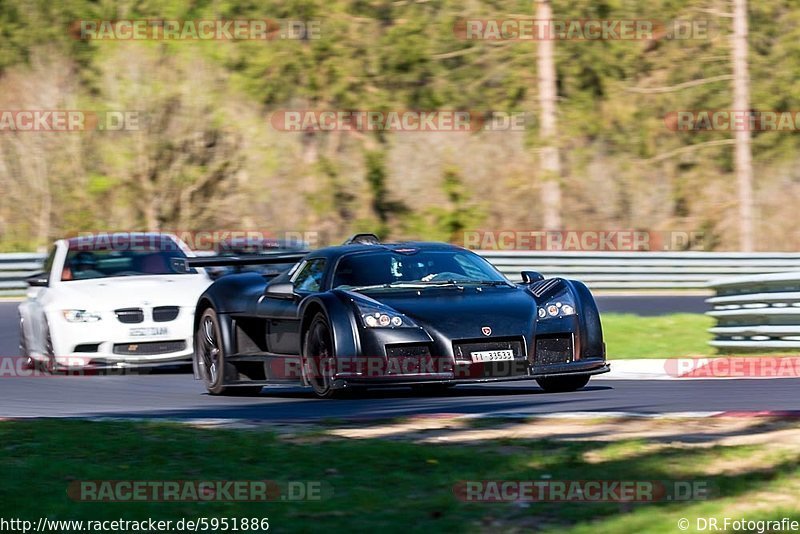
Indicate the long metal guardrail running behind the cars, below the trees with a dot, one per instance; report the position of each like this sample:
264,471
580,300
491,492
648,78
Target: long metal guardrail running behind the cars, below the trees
600,270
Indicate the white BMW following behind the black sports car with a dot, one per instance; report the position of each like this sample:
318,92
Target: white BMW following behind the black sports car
112,301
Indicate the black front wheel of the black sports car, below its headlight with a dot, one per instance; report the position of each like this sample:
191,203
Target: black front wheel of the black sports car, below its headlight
319,359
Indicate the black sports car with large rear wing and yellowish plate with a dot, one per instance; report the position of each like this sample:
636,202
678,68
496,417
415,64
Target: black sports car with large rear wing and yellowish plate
366,313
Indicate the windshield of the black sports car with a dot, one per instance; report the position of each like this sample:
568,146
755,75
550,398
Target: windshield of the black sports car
413,267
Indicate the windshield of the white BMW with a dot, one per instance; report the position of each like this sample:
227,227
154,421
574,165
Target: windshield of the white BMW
87,262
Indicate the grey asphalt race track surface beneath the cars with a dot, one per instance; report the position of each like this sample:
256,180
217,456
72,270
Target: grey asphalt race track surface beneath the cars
175,395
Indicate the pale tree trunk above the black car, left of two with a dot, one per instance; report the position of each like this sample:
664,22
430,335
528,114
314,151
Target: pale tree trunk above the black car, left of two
550,162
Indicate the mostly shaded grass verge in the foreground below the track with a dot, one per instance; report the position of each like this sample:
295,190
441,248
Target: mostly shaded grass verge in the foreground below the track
377,485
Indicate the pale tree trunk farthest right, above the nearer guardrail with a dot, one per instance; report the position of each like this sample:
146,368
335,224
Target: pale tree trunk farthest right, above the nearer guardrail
741,103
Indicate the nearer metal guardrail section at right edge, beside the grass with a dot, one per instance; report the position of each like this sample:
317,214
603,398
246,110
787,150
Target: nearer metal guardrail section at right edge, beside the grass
756,312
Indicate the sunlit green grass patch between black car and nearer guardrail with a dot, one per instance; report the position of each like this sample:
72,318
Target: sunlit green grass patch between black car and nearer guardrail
666,336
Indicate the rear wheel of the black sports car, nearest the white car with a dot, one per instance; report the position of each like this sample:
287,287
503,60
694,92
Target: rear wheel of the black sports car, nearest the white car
214,370
